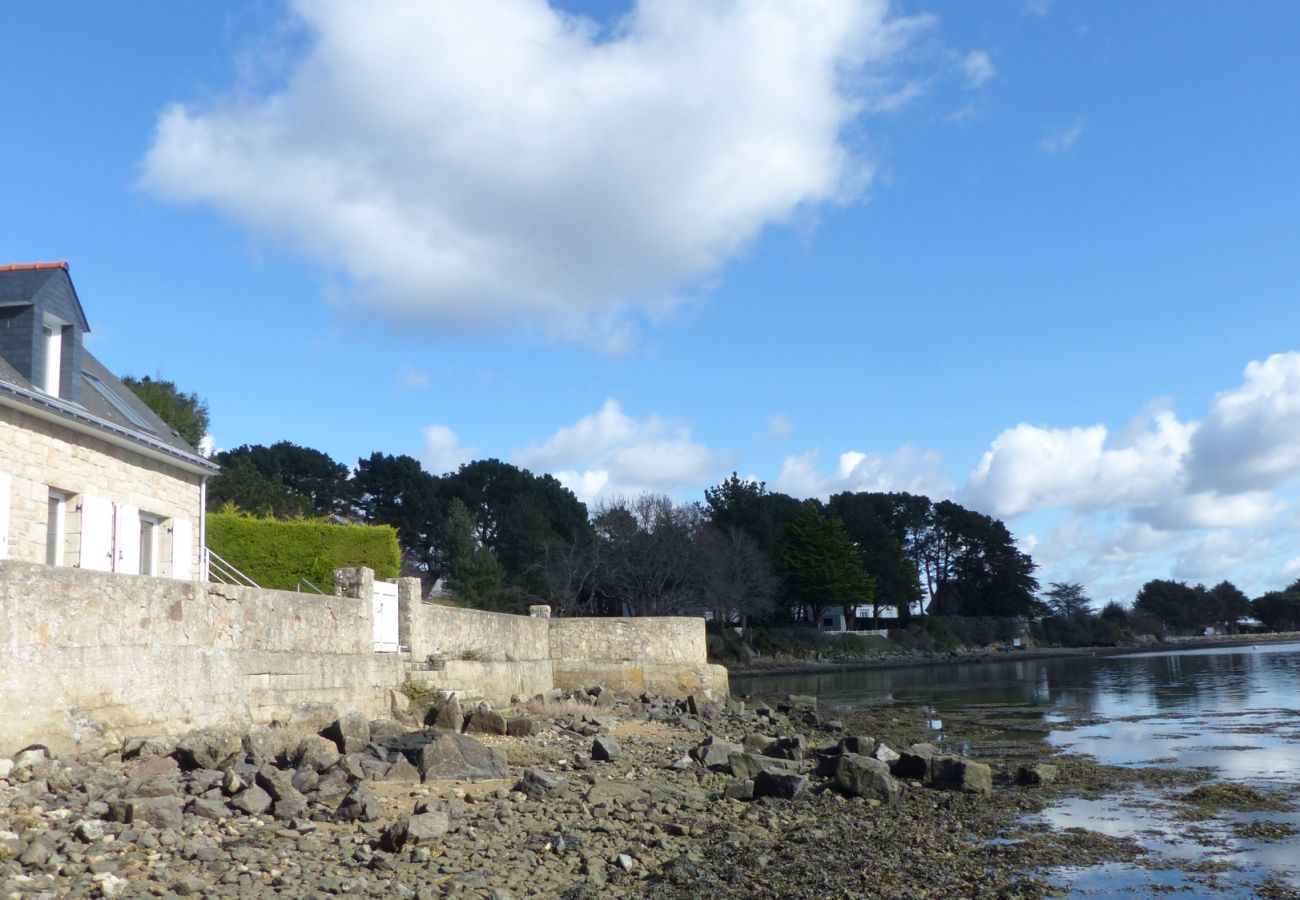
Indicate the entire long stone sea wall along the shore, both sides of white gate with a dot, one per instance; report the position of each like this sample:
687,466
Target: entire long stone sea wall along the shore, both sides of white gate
83,652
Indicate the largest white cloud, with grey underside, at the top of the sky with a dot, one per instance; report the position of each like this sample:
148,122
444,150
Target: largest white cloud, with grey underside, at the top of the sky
501,163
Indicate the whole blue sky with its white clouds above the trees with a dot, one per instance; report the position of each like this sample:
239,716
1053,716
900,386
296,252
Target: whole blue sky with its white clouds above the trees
1035,257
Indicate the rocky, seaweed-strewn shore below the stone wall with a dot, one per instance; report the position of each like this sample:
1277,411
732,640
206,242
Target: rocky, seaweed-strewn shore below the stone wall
579,795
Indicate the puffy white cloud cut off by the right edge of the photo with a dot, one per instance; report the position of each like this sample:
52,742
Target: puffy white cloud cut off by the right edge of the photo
1251,439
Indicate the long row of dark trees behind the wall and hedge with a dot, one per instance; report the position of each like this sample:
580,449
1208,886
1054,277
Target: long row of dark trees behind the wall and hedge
500,538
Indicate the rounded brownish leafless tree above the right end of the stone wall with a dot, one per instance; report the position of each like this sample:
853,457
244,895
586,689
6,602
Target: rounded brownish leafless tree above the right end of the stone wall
735,576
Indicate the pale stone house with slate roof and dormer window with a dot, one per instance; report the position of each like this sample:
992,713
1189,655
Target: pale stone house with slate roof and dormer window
89,475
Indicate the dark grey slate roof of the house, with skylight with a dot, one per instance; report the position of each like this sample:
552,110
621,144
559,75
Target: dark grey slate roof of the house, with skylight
125,416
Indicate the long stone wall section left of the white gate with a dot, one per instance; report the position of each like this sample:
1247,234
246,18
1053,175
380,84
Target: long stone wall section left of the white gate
141,655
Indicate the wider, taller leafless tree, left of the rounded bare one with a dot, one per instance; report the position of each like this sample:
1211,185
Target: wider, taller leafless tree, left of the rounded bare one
648,552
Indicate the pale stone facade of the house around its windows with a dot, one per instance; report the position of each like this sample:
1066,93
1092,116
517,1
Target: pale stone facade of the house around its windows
40,456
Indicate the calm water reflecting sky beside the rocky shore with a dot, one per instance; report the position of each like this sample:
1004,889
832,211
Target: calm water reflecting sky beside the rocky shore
1234,713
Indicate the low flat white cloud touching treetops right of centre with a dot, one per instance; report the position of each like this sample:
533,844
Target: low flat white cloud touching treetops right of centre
904,470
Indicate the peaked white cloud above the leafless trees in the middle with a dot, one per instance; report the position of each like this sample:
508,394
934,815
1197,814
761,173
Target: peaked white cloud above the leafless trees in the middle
610,453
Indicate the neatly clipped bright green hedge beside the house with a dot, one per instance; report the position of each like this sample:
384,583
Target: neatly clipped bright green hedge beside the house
276,553
